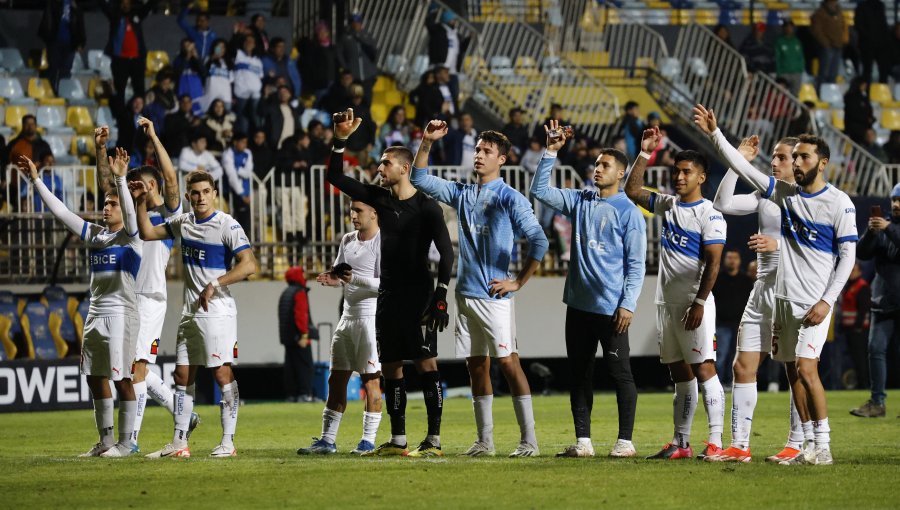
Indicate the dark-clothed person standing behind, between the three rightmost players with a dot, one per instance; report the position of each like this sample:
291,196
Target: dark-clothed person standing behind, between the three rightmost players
732,290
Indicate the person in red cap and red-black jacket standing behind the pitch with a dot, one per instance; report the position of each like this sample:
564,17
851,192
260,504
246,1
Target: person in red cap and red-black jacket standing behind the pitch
294,327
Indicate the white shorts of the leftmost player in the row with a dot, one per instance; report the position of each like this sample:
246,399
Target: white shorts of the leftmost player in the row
109,344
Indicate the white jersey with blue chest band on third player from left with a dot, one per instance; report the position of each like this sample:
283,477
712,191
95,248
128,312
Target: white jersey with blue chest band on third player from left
208,247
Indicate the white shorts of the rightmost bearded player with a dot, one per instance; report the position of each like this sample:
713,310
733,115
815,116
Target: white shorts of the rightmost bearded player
791,339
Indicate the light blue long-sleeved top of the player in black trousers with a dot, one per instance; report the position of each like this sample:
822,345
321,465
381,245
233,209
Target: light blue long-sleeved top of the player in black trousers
609,245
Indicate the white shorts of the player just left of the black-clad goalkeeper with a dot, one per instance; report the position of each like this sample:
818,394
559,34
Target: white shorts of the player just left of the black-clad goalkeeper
353,346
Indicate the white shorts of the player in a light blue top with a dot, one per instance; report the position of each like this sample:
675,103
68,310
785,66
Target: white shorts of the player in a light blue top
485,327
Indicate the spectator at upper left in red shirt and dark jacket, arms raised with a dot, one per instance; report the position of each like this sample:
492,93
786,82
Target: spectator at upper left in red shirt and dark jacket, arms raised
125,45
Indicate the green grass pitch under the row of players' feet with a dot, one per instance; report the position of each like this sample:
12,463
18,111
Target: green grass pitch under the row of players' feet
40,469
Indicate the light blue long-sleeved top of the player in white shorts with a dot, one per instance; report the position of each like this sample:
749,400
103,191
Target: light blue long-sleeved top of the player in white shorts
491,216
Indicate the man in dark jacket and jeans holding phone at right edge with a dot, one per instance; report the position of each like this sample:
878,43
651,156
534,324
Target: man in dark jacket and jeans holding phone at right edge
881,243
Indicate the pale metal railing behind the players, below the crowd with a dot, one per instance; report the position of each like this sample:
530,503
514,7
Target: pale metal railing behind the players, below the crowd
294,219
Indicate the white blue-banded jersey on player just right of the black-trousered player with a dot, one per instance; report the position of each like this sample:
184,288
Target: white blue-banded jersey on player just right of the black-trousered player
687,228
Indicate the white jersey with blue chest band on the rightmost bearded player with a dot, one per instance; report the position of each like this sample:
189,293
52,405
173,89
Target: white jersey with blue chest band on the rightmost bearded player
812,228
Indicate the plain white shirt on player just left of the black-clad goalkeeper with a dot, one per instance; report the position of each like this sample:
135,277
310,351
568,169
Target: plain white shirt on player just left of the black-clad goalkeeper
365,259
